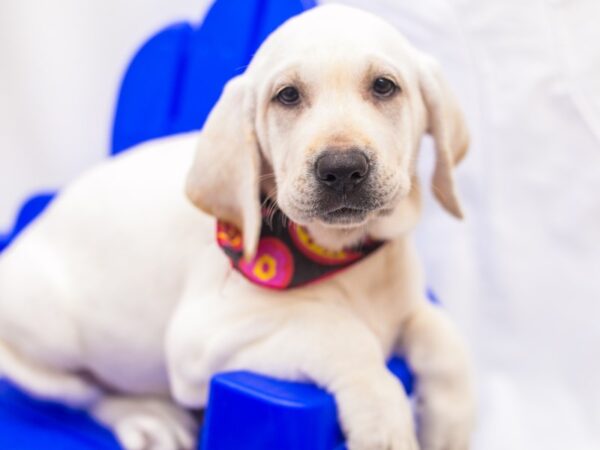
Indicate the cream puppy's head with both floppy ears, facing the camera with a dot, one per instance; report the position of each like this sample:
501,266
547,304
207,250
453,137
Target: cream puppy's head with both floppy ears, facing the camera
327,120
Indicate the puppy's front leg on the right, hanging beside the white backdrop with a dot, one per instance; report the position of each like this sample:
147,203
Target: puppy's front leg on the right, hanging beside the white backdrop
445,399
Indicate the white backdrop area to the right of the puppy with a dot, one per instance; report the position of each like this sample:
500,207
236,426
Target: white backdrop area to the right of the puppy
521,277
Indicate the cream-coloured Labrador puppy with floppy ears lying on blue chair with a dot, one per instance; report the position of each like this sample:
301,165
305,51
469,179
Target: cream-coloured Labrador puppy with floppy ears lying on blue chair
120,299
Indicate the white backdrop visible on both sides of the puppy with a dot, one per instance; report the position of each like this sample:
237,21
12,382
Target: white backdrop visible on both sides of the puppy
521,276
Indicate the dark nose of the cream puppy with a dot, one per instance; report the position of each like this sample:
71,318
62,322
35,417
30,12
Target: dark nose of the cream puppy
342,170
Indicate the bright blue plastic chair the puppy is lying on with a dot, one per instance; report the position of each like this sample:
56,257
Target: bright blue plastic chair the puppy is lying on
169,87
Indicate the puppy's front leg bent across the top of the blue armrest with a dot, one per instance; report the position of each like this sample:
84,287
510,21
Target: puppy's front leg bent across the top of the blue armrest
298,340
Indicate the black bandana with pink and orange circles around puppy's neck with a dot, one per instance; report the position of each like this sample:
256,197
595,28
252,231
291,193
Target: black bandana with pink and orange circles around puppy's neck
286,255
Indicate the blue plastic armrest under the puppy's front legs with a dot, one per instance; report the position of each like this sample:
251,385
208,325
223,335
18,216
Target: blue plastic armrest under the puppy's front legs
255,412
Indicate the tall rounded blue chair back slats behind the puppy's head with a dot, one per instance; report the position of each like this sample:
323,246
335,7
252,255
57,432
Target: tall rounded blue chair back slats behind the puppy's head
177,76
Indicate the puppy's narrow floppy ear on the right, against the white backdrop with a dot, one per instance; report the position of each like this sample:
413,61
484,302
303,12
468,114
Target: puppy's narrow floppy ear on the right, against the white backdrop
445,122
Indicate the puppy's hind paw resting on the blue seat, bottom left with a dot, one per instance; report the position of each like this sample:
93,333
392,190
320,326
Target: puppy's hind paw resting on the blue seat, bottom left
143,424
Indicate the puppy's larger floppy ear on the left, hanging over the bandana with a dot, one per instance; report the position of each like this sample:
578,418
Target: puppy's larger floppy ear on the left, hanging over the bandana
224,178
